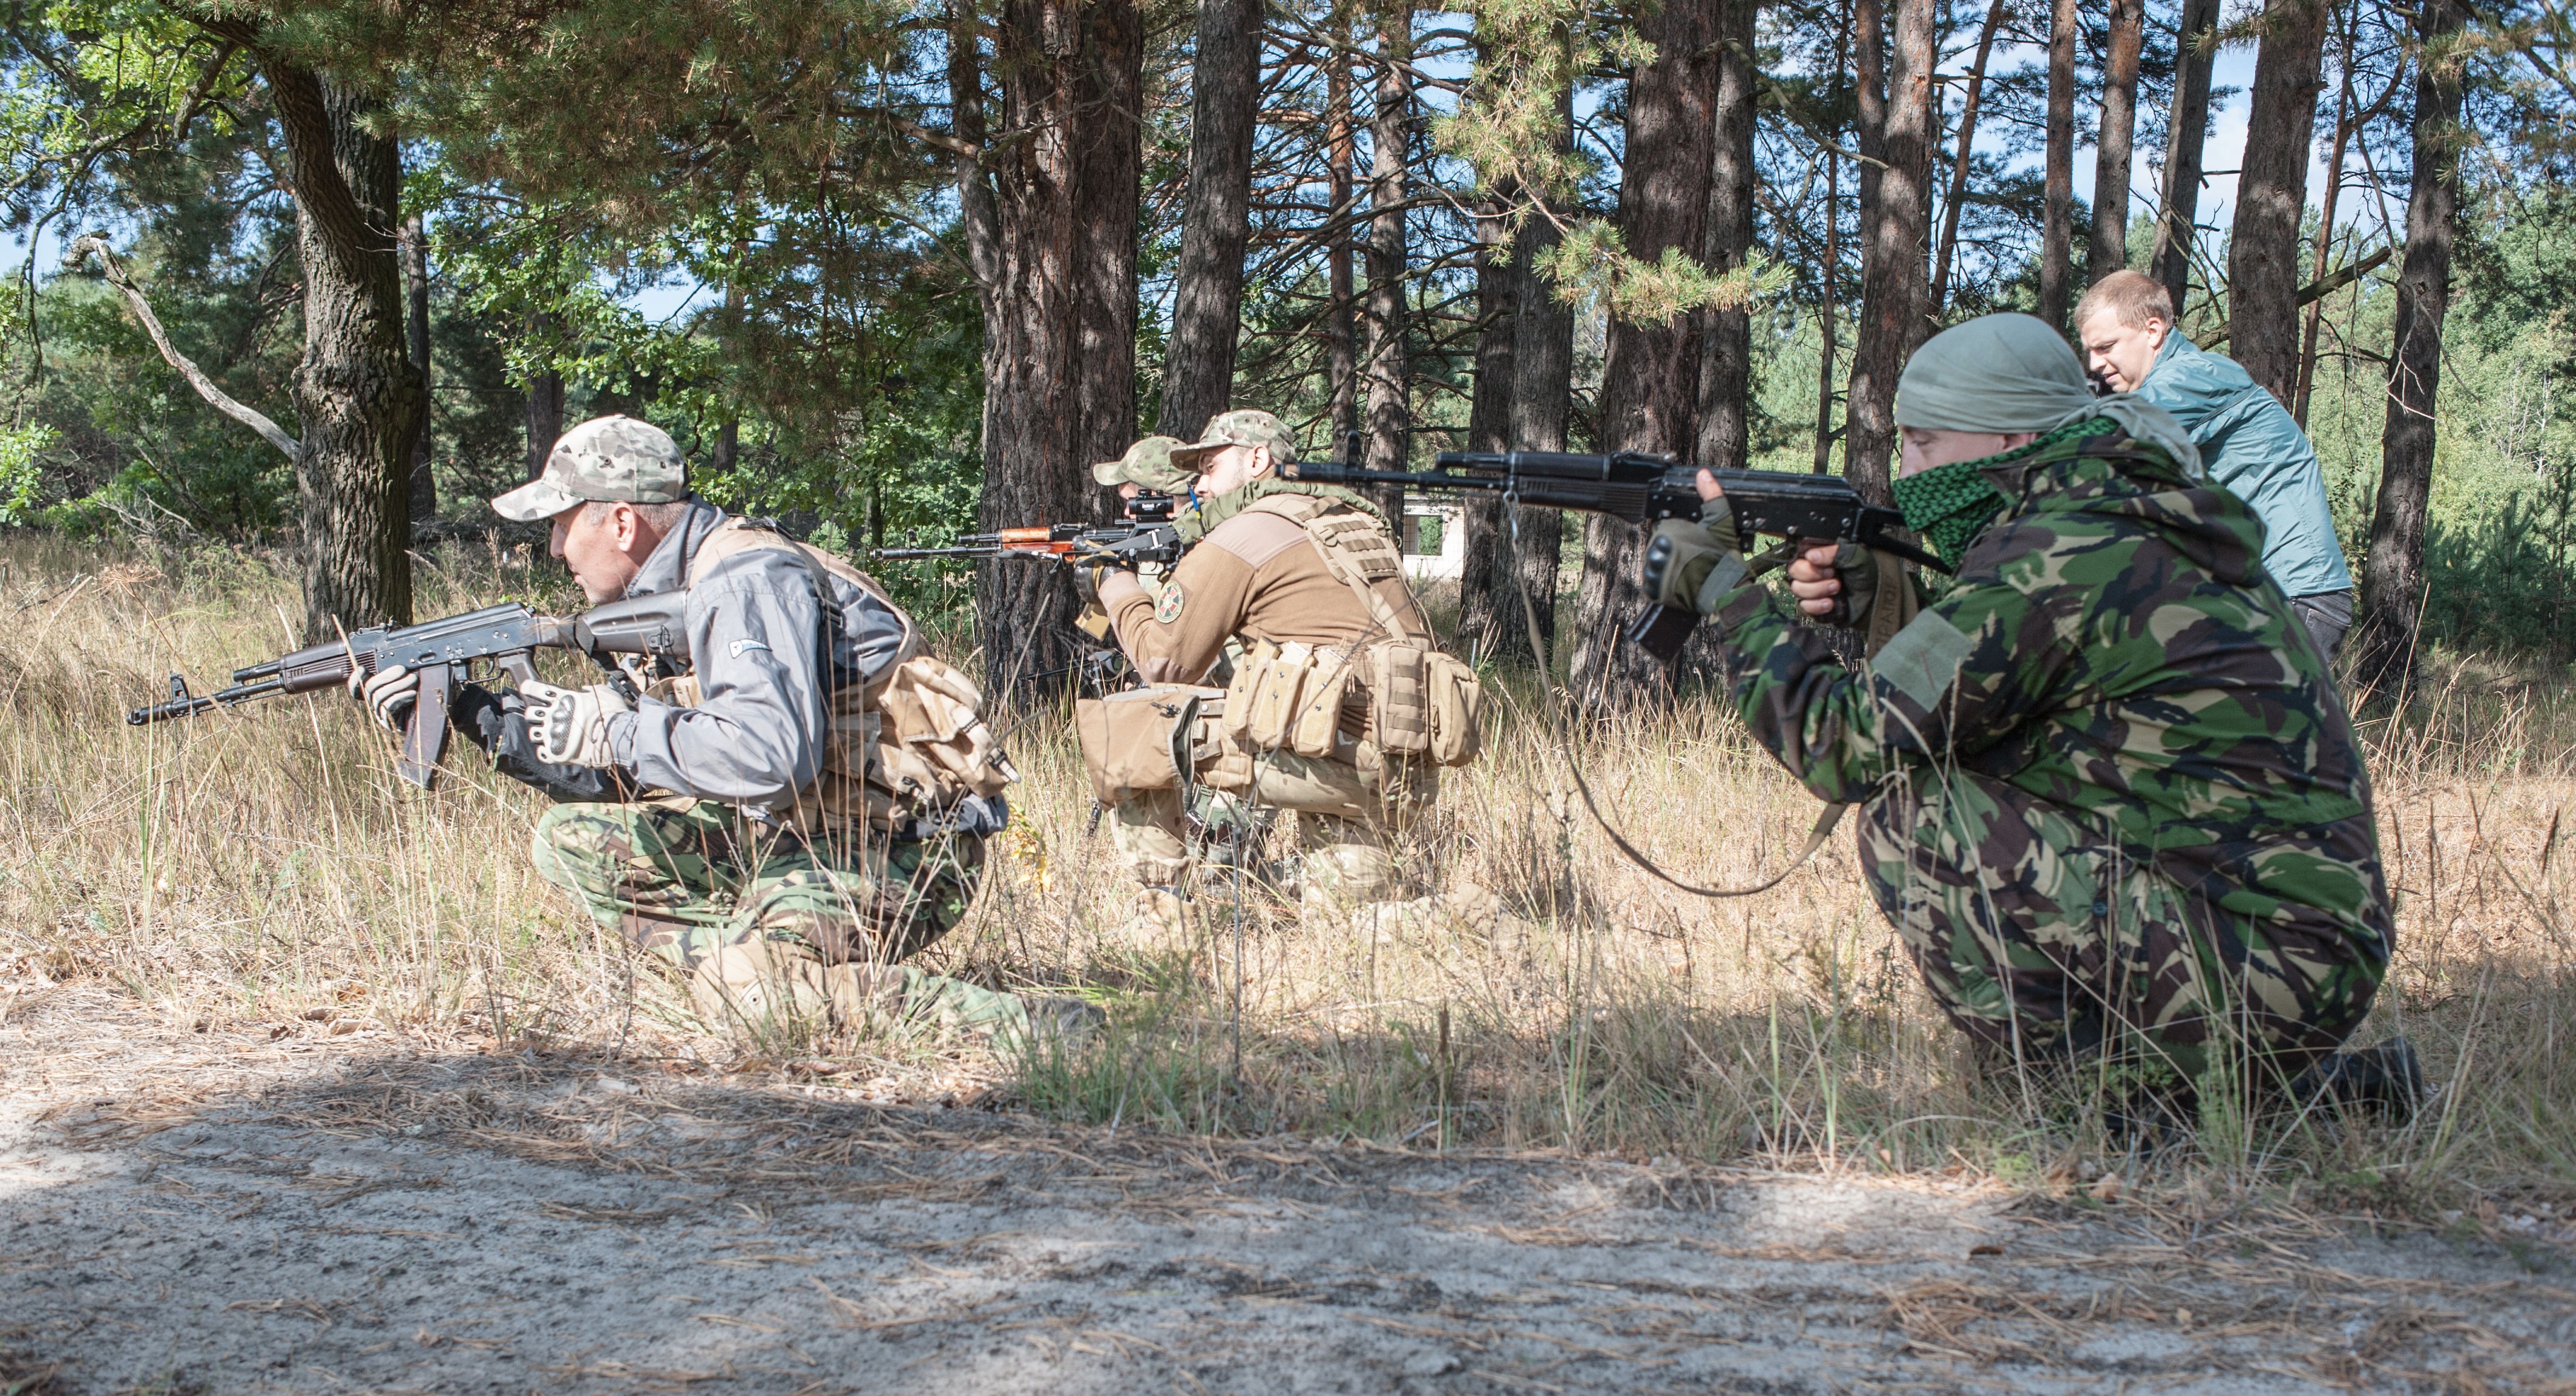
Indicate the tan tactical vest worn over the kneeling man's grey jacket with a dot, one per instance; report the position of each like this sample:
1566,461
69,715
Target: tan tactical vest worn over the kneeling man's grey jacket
905,748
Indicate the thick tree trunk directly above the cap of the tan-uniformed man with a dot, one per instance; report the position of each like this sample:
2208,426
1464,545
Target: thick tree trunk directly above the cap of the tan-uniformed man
1217,223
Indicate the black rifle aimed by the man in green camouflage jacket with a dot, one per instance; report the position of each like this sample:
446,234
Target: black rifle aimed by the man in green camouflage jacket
1645,491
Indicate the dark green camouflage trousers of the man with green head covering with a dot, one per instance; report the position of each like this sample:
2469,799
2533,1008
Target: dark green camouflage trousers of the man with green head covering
2044,941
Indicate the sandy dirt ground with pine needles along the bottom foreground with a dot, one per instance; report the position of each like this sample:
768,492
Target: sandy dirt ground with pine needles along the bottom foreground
233,1212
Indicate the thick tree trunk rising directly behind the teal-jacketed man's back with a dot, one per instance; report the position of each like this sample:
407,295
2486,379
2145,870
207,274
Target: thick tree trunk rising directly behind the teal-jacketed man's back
2273,194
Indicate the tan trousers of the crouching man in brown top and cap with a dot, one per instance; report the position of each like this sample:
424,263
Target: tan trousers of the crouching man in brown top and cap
1346,815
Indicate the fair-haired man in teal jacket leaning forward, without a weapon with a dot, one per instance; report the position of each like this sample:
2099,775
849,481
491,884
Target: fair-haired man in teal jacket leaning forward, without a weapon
2248,442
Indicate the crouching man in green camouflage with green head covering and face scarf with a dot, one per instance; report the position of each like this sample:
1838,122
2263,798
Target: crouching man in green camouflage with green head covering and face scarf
2111,800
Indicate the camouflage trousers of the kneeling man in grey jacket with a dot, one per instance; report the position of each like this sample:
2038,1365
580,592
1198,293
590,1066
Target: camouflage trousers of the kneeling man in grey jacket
735,905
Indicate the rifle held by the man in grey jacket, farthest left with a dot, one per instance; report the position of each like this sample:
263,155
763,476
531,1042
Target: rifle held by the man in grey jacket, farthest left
444,656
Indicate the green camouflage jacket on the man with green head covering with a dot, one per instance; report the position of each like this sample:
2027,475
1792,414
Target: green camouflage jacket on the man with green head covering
2114,650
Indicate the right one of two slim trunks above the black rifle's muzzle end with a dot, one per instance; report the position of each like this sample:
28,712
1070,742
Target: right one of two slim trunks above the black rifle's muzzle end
1390,140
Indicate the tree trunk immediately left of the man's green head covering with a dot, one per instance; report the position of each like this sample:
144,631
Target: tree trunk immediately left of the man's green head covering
1892,256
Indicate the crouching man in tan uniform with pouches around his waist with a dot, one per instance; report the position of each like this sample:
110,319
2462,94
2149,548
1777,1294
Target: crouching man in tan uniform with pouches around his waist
1310,578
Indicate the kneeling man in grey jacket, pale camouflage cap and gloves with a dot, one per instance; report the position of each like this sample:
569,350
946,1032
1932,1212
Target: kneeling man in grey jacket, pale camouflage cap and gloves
694,820
